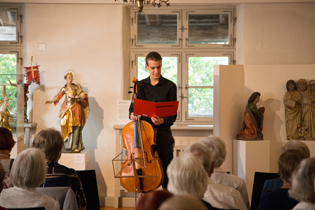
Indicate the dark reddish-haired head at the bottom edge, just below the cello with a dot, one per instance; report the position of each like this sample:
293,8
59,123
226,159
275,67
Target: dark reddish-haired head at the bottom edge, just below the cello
153,200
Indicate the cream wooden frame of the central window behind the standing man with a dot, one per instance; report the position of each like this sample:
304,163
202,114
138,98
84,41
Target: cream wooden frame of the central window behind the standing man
182,51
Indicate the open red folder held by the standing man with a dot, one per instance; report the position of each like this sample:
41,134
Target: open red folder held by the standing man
151,109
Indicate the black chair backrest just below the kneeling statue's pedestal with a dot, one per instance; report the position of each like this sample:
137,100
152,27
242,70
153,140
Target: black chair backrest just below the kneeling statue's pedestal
259,180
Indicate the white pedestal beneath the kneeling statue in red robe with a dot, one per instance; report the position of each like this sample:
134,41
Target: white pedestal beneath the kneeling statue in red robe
249,157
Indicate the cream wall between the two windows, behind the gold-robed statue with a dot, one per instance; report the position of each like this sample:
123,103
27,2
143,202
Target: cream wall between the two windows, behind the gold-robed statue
87,39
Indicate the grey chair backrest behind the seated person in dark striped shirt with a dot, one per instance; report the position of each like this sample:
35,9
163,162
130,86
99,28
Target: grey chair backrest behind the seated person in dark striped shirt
64,195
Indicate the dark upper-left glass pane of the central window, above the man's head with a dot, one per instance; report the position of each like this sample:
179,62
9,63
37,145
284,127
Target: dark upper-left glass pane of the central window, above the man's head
157,29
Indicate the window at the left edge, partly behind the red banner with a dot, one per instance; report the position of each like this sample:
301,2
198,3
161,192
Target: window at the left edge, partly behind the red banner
11,61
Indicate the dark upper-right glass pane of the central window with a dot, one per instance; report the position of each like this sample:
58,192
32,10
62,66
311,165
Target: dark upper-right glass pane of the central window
208,29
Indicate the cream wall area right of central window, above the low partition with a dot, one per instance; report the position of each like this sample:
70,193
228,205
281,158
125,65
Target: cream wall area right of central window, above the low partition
276,33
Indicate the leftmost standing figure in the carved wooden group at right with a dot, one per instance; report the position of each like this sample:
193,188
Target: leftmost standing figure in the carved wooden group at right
292,102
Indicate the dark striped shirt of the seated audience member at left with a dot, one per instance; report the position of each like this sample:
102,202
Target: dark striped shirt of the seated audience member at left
61,176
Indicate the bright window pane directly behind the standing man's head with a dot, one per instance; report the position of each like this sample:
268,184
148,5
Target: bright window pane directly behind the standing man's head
169,68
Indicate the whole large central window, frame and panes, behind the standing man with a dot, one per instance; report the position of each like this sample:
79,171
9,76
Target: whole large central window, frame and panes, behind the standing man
191,42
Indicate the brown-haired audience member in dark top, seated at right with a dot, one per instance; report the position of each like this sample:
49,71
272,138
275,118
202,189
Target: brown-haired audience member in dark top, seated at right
279,199
